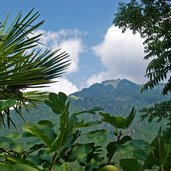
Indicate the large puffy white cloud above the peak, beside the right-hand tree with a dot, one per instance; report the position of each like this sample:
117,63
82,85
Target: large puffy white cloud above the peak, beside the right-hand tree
122,55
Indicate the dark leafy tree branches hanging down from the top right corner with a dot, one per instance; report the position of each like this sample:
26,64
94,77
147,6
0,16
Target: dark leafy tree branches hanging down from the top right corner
152,19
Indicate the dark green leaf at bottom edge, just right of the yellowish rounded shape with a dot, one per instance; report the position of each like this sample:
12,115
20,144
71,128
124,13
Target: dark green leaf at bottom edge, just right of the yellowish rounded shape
130,165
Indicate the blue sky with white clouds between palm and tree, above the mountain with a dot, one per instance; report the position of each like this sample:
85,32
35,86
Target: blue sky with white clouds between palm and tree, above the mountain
98,50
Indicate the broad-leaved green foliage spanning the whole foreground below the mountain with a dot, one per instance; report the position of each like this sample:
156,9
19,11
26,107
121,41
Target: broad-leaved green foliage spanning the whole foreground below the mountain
47,146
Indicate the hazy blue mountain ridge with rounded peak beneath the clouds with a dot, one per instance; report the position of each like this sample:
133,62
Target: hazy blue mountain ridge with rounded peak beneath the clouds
116,96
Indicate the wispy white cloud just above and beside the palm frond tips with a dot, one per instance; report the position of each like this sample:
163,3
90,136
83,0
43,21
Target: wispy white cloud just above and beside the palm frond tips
67,40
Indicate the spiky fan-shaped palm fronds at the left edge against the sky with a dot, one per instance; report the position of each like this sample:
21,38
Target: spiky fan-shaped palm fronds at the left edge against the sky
23,65
